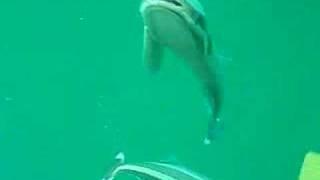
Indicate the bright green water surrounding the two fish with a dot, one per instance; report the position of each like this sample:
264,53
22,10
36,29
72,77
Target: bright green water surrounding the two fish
73,91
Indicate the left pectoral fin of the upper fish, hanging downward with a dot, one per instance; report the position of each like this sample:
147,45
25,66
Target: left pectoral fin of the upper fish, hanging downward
152,52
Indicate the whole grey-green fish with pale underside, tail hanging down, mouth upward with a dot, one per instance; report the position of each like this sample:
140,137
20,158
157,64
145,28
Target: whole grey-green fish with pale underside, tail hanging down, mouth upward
180,25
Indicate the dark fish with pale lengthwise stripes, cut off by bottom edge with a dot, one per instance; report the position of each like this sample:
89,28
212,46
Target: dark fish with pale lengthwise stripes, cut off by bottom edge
152,171
